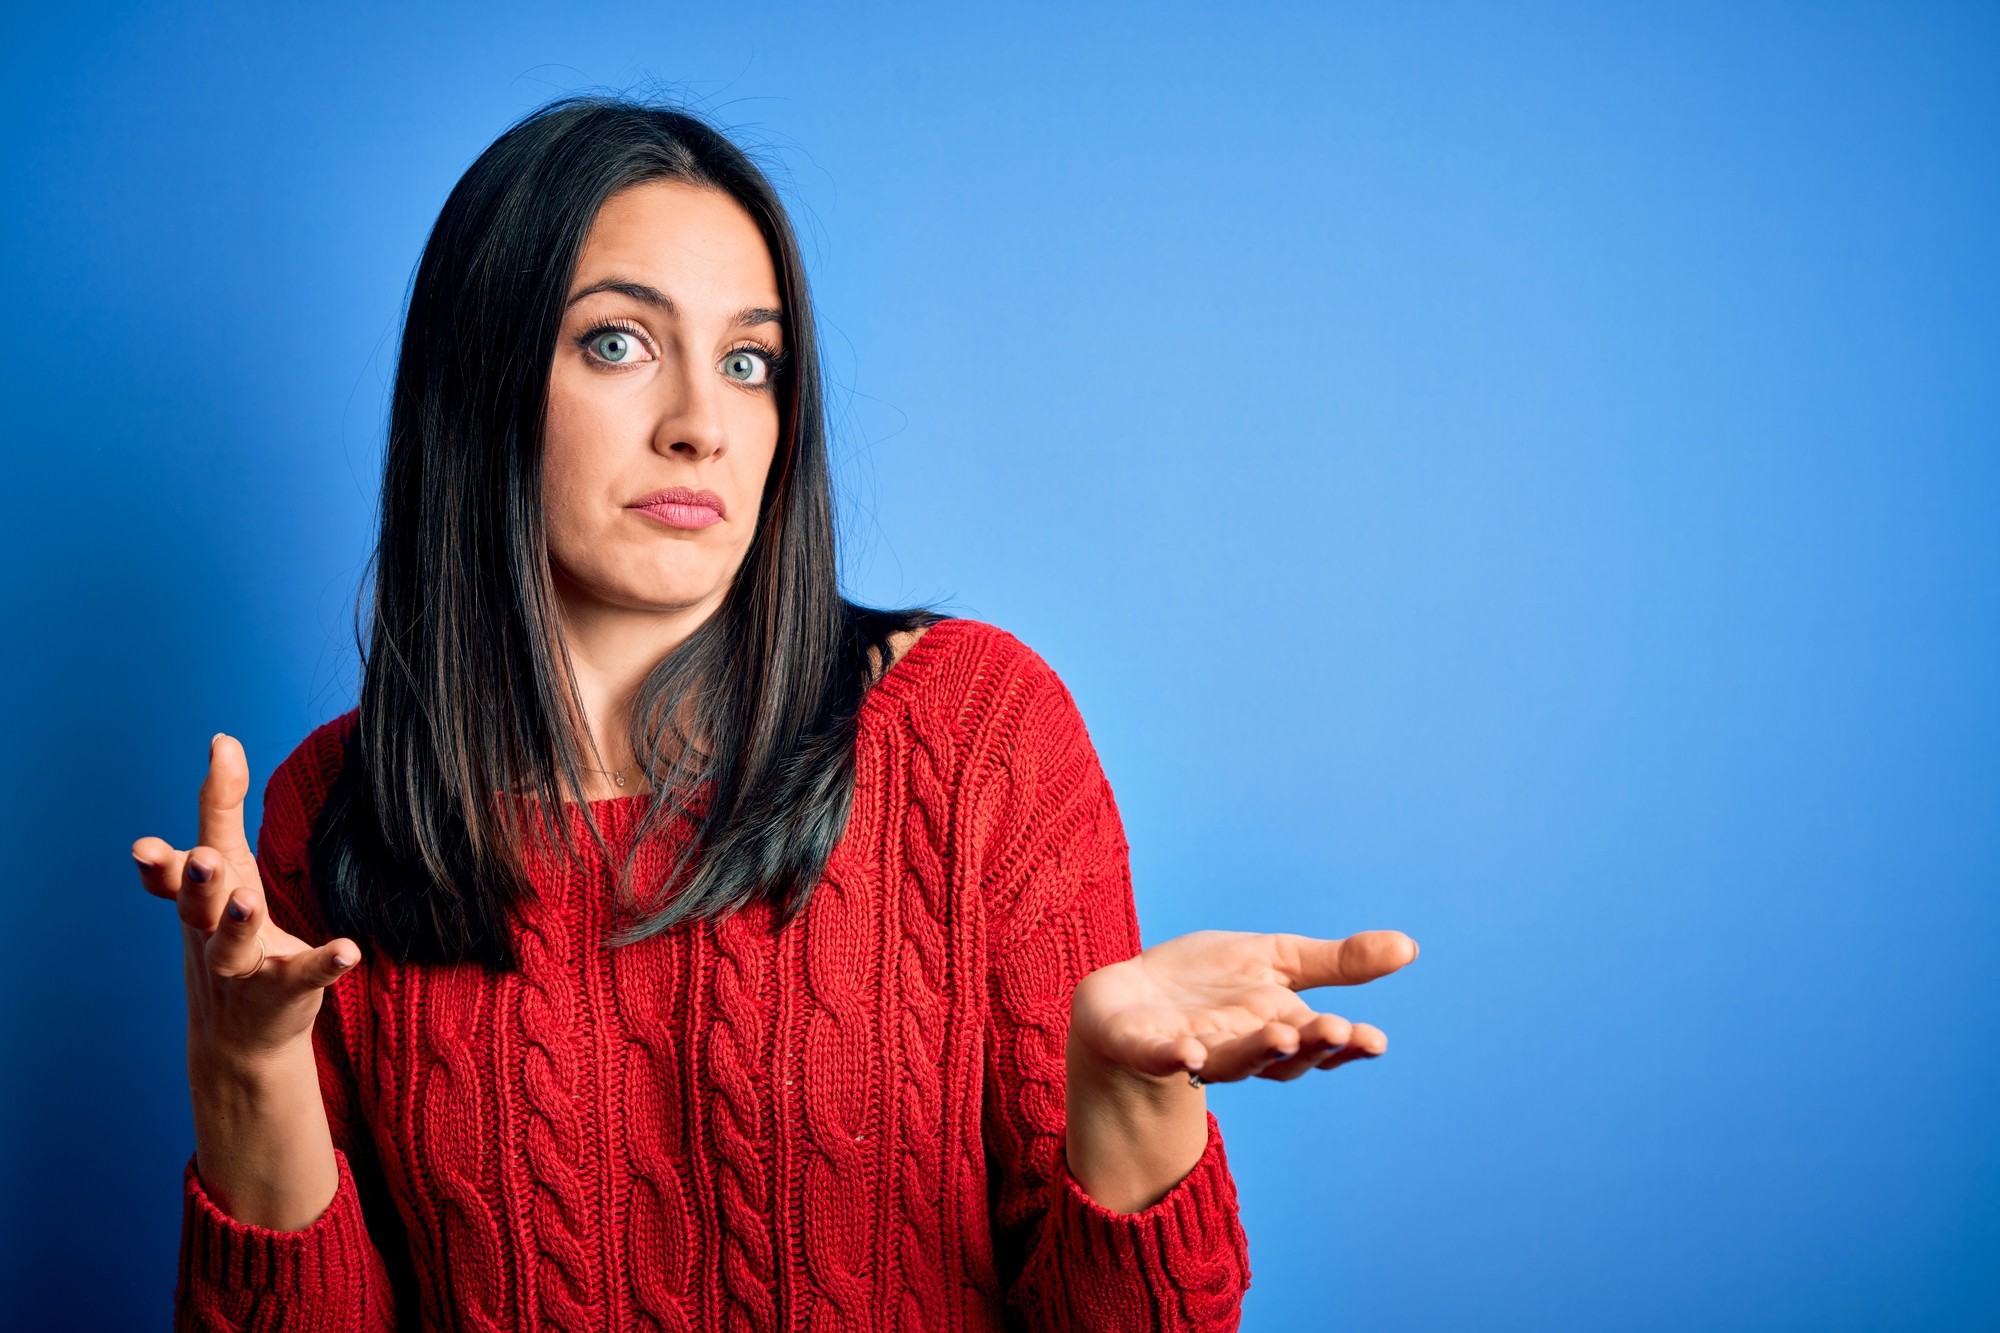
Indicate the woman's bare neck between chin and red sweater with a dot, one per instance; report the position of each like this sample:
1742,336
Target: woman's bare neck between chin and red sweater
613,649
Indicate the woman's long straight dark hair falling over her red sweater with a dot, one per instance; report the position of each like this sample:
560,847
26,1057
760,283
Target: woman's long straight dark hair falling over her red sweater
467,740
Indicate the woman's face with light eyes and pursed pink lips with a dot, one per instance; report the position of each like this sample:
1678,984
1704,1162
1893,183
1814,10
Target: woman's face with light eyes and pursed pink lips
663,405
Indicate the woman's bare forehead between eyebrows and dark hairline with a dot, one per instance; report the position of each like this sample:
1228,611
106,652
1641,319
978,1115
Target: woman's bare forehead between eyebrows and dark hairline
687,241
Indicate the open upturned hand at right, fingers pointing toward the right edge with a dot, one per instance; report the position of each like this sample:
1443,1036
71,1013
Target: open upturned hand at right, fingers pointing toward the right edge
1225,1006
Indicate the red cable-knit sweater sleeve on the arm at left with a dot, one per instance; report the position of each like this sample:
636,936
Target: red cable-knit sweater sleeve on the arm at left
333,1276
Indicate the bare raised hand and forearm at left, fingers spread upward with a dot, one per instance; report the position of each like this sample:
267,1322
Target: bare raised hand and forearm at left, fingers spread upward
261,1138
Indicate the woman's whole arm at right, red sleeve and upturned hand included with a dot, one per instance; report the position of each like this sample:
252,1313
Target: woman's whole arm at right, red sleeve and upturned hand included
1113,1194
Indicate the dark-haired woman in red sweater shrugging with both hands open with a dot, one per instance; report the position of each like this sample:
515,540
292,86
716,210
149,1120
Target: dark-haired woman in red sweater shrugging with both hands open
735,958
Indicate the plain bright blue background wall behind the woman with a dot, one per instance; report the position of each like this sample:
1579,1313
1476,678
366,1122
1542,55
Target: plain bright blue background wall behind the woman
1519,473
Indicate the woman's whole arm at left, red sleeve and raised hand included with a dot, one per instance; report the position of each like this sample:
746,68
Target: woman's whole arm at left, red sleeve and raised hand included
273,1222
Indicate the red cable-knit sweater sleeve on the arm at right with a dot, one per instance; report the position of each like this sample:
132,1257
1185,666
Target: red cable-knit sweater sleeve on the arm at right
1059,894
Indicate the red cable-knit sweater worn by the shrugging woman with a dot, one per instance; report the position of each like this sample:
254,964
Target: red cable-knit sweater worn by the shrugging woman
849,1124
